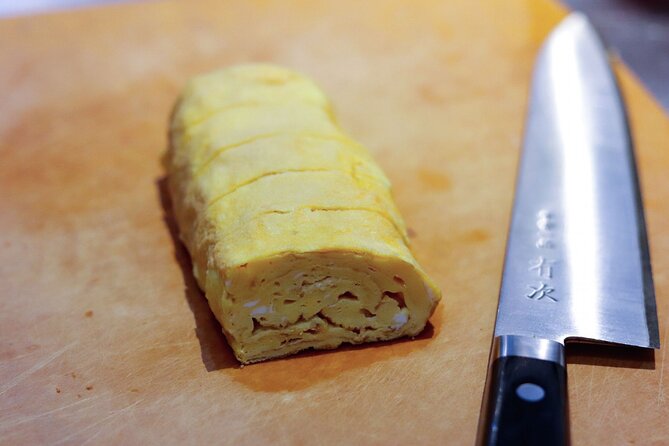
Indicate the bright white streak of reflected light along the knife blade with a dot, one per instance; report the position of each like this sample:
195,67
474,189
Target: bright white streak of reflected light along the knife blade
581,220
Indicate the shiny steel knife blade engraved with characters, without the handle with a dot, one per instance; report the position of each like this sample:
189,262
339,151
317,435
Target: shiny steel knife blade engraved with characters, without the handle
577,257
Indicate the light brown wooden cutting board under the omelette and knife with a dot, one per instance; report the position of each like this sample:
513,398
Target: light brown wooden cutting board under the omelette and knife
104,336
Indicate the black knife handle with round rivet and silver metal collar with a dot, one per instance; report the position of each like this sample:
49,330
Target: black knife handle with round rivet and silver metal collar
526,398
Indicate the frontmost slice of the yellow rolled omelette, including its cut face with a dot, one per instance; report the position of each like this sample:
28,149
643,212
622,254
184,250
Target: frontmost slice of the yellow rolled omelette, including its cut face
315,279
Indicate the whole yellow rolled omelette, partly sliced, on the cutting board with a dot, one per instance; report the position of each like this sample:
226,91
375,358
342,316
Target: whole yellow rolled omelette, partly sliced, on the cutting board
290,224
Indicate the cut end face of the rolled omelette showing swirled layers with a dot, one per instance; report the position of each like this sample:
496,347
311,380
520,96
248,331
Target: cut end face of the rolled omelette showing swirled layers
277,306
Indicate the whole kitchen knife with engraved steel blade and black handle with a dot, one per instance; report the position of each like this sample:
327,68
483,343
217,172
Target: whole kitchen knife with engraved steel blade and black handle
577,266
